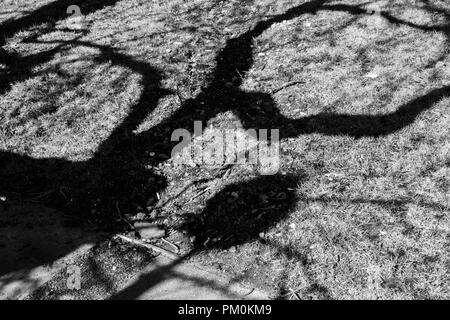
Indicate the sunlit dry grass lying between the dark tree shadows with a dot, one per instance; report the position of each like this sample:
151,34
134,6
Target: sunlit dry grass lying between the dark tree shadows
371,217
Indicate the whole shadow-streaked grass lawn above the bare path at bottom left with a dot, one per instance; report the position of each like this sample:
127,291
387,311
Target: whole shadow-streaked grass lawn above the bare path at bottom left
360,91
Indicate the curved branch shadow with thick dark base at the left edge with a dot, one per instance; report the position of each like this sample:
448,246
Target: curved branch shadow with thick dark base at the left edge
103,175
